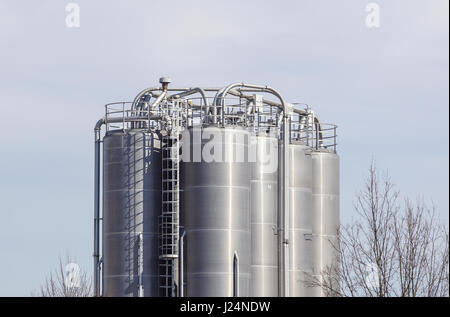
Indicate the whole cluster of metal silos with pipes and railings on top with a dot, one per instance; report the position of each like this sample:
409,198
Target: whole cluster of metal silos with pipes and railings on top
225,222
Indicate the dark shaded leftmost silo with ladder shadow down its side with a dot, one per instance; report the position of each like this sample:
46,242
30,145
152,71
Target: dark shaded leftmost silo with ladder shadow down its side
131,205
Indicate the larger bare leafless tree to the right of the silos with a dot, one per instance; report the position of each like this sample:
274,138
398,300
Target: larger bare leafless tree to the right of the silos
390,249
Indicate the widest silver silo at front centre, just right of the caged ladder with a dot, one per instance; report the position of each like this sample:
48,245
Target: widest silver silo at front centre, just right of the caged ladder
215,200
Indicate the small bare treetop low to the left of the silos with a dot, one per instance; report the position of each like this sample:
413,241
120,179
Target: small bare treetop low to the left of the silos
66,281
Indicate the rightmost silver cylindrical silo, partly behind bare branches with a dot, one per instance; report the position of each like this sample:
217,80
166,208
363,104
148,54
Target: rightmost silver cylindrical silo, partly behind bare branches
325,191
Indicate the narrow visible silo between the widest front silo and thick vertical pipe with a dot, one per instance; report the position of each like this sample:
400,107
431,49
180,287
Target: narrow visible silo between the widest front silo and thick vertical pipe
264,205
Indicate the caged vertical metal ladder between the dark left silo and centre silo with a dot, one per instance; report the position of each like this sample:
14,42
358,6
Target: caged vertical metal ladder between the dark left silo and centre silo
169,218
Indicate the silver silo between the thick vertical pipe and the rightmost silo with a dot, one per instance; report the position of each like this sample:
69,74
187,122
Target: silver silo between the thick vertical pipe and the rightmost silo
300,235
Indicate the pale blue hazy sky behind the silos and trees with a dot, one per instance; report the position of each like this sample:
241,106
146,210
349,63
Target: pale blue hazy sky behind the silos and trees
386,88
